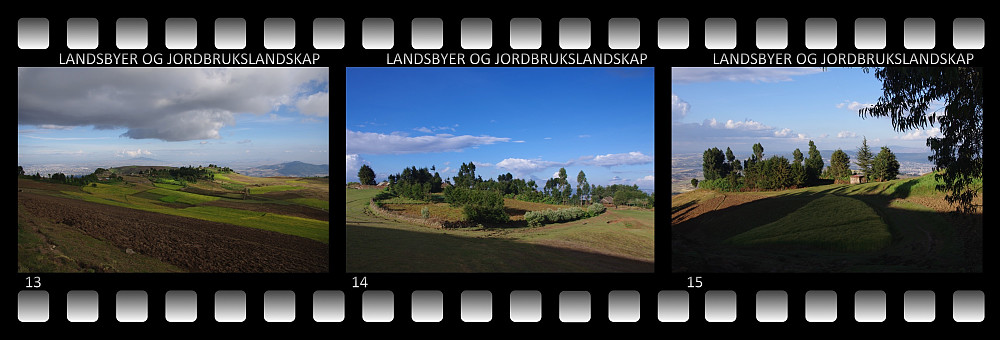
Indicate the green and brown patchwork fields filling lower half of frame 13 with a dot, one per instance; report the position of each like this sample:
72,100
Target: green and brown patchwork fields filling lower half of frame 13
140,226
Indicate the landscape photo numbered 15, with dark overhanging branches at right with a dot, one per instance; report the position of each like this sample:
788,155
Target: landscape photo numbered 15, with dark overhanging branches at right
826,170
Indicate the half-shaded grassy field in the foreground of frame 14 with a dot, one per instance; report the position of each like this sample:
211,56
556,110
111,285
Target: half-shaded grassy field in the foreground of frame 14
617,241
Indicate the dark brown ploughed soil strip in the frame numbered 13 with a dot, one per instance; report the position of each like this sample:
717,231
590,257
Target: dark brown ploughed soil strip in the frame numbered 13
192,244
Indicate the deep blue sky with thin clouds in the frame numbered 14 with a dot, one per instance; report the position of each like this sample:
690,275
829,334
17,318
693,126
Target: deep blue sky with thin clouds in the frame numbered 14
527,121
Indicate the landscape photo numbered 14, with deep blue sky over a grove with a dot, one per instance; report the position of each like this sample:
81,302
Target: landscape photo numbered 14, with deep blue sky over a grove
500,170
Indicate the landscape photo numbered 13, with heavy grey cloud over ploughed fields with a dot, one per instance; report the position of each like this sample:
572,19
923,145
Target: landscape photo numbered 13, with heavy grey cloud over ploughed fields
173,170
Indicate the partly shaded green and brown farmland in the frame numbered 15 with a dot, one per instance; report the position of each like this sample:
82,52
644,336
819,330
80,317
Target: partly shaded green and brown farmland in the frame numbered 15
895,226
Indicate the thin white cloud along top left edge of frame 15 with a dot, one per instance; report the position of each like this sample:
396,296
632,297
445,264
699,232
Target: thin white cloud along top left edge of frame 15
751,74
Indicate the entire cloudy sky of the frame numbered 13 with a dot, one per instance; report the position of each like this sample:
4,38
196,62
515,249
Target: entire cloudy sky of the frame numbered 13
175,115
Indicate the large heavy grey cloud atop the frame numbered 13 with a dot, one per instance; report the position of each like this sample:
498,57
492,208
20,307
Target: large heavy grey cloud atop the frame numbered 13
170,104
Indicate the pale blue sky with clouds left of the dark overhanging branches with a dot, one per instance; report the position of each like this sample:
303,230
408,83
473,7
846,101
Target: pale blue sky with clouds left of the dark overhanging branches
781,108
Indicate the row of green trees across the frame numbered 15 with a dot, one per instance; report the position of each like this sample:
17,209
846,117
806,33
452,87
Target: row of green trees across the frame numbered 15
724,172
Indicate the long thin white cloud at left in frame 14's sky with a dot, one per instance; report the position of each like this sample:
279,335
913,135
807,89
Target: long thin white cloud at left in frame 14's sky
399,143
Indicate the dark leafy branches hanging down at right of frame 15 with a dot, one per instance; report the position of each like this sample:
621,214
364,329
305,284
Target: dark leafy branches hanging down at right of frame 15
910,98
